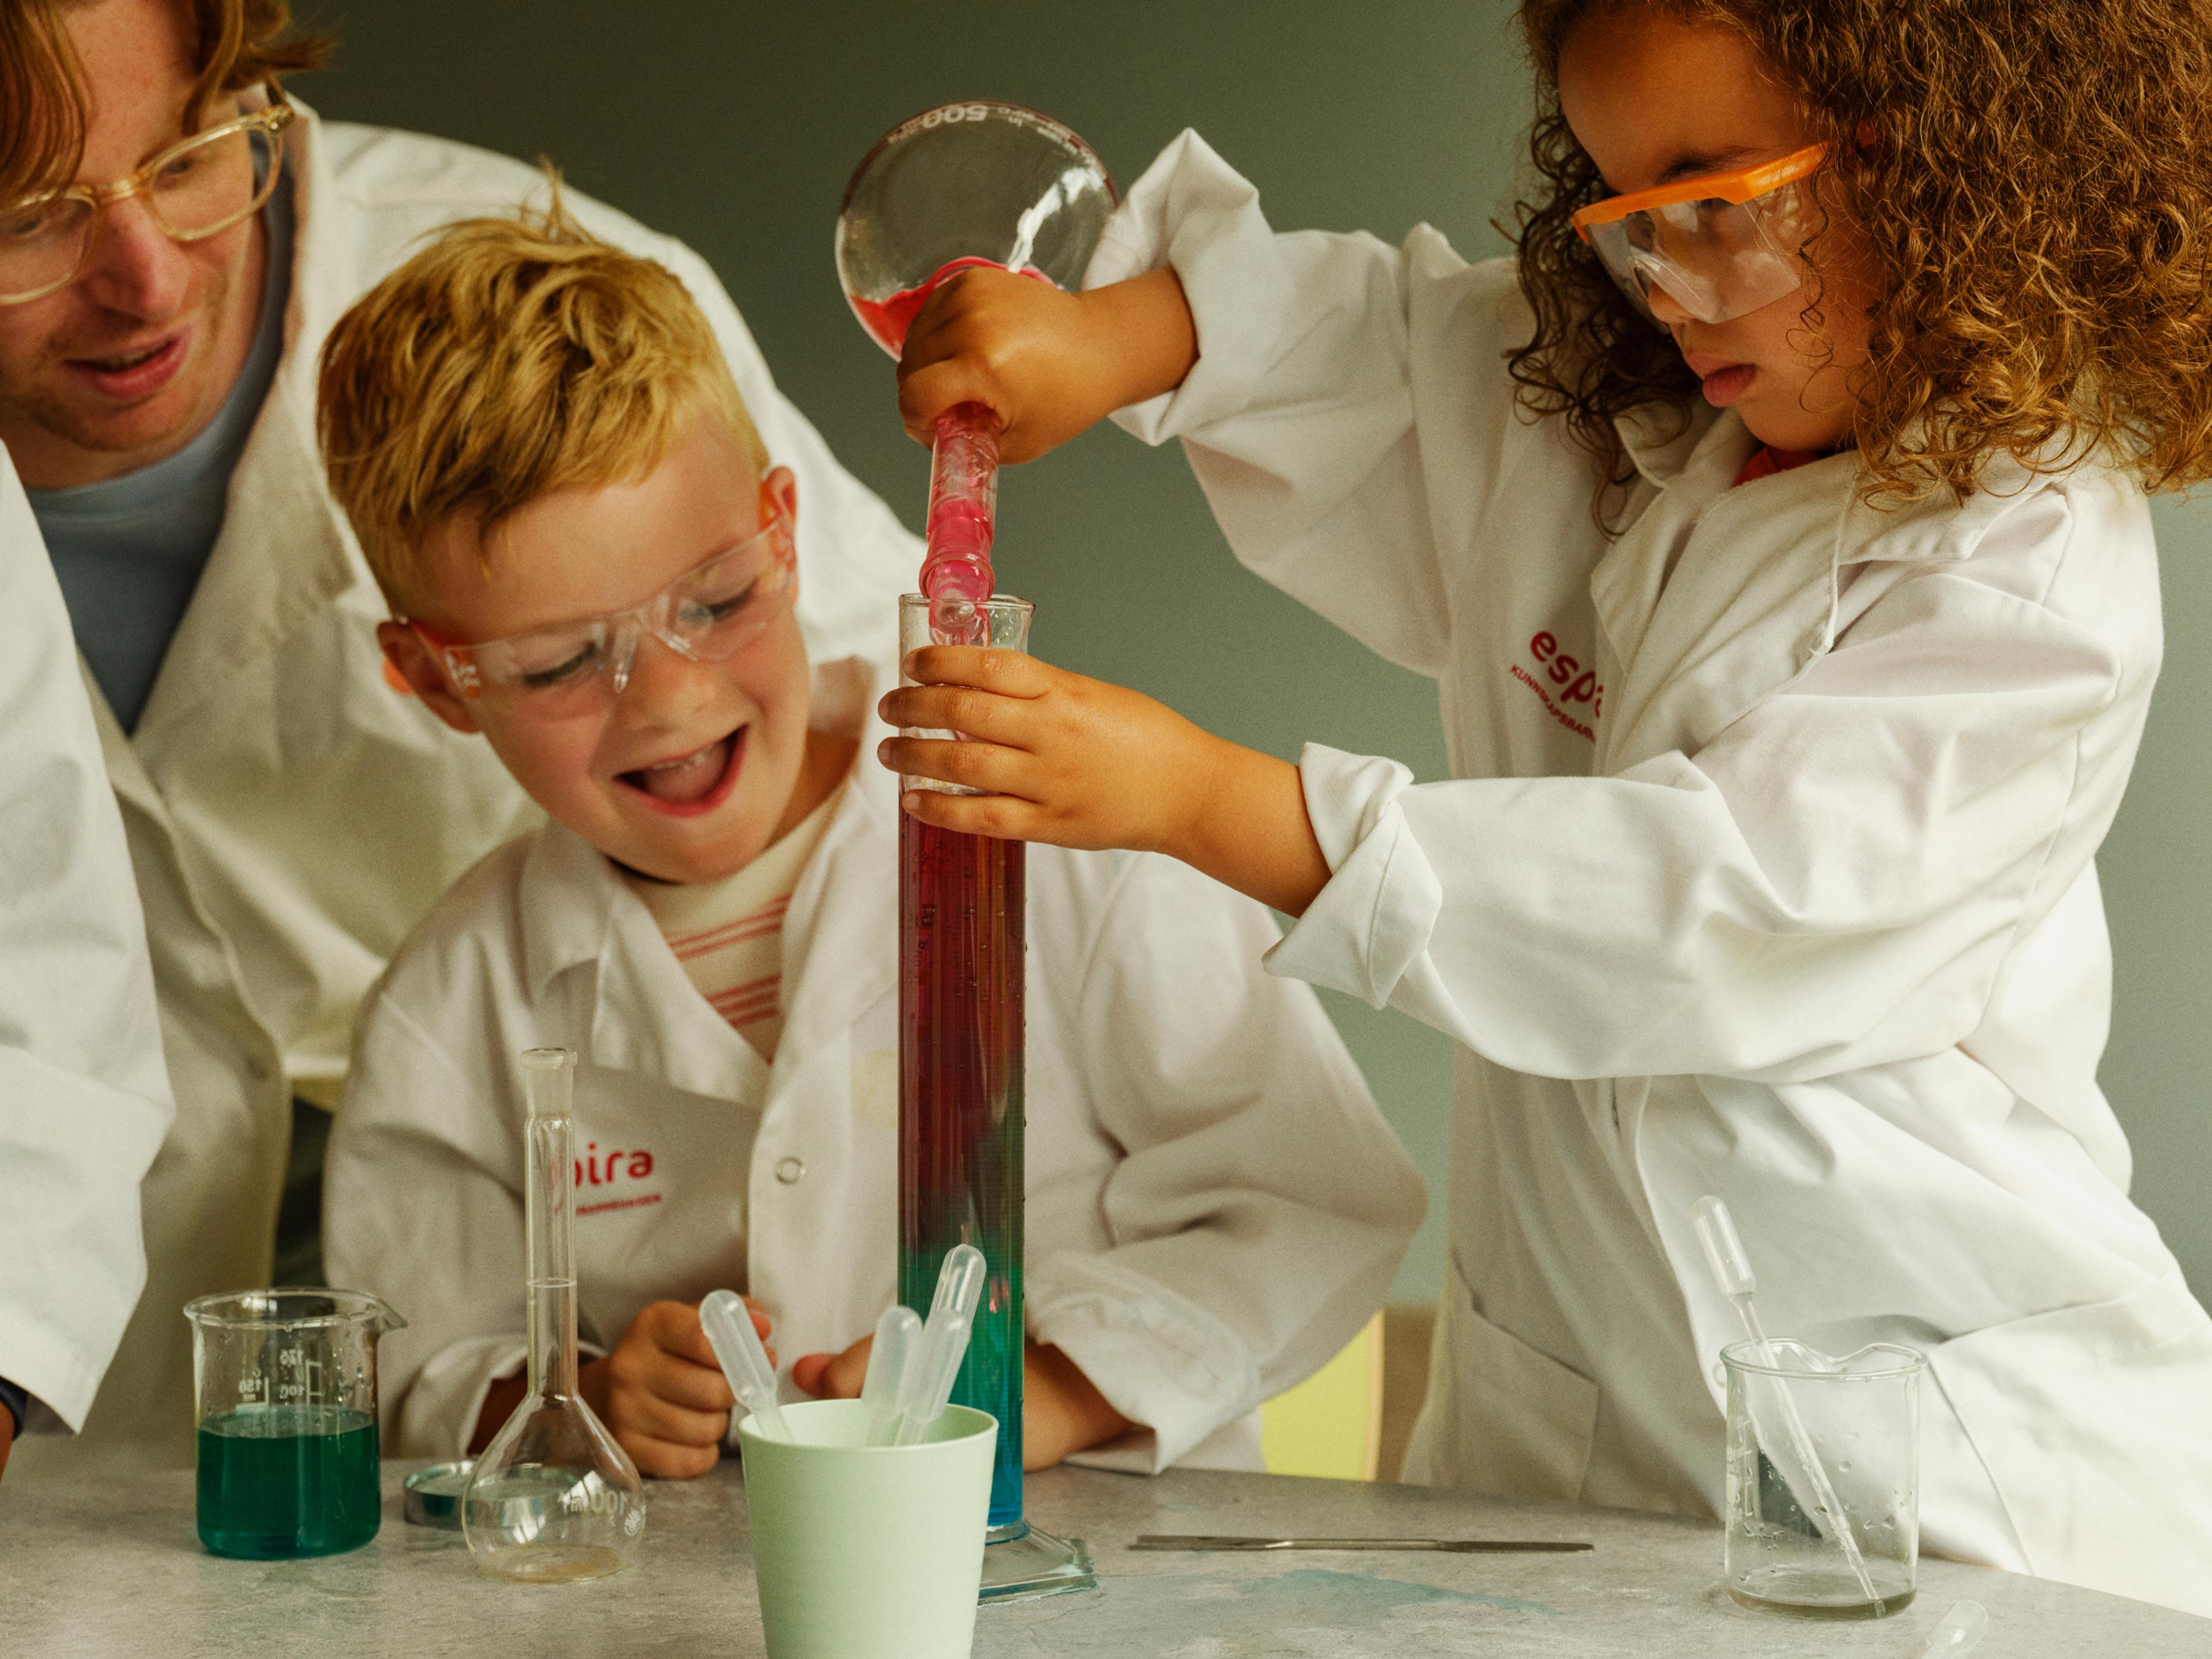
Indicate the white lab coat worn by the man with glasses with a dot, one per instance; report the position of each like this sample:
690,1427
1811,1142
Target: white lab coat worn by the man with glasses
291,817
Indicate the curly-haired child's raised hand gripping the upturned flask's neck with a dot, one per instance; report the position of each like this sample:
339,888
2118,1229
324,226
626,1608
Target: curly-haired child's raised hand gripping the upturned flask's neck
1045,362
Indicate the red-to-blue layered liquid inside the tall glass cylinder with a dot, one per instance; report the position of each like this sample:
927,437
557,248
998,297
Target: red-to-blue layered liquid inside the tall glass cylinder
961,937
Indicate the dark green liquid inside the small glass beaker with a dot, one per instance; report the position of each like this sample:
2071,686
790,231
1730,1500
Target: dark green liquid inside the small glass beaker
280,1481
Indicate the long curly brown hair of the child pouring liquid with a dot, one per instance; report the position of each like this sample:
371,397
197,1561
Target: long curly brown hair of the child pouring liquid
2034,185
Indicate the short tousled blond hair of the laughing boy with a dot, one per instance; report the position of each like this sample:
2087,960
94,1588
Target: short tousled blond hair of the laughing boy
510,359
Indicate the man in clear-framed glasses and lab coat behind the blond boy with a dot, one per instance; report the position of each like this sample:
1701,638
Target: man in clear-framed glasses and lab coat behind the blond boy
176,240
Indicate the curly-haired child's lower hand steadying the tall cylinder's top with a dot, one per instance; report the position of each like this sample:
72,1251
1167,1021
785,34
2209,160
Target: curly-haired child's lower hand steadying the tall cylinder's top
1085,764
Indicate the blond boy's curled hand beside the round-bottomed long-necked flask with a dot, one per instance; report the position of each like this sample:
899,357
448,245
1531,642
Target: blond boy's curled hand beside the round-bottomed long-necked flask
662,1392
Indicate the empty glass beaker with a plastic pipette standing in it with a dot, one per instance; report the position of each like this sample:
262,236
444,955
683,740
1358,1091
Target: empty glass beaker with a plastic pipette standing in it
1861,1419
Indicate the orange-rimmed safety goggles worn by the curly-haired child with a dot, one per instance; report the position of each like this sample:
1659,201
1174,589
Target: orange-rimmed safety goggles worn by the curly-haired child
1718,247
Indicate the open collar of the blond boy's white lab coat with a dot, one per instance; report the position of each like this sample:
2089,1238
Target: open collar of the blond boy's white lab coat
638,1008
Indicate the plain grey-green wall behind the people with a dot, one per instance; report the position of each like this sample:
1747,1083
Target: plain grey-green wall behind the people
735,125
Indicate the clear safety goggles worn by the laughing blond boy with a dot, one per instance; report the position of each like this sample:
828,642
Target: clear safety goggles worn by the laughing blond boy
581,667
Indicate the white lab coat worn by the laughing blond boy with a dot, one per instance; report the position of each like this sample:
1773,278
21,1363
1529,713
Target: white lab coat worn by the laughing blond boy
1215,1204
